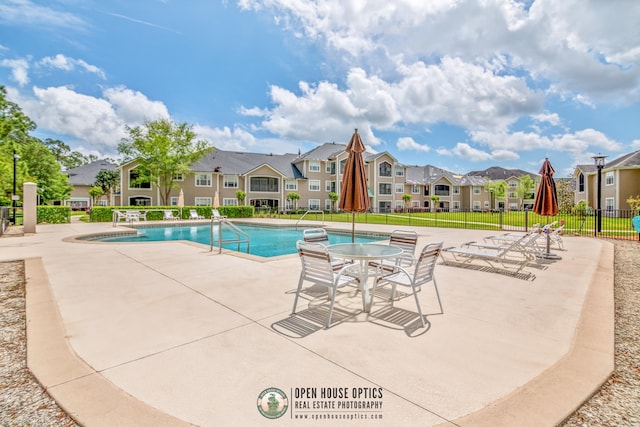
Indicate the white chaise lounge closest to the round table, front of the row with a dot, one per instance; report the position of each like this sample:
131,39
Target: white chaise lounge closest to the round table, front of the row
517,252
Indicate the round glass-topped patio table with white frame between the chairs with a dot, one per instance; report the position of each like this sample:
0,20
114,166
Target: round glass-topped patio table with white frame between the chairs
364,253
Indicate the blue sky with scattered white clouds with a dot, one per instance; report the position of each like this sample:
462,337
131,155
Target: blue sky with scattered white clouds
458,84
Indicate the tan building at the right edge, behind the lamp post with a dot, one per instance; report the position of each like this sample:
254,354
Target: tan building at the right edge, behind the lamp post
620,179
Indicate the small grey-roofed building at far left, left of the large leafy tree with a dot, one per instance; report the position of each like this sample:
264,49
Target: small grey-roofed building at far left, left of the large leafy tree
82,179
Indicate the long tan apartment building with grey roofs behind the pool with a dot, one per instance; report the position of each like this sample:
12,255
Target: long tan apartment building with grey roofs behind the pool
267,179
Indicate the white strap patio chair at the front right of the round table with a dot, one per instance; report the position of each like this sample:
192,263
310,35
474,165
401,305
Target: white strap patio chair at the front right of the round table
422,273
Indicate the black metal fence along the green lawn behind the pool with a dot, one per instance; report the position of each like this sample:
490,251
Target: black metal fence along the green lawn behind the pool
613,224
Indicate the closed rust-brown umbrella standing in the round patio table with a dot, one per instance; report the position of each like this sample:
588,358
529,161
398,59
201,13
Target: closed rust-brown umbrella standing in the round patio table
354,195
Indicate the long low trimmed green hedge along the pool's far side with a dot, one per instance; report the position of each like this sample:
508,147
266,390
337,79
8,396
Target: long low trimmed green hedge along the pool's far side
156,213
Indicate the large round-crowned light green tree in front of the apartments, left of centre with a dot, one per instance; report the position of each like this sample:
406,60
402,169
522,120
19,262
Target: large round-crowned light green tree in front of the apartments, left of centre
163,151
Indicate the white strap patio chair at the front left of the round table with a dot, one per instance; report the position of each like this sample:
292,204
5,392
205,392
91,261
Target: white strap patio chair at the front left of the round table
317,268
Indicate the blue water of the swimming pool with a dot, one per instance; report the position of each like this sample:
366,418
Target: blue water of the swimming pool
264,241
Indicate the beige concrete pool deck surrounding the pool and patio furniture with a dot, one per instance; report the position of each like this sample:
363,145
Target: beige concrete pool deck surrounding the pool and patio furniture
172,334
